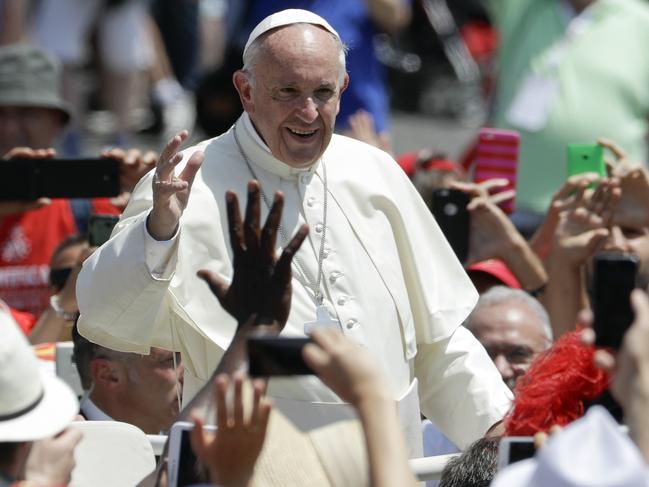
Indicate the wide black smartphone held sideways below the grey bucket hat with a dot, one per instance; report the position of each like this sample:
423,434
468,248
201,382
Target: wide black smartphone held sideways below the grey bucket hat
29,179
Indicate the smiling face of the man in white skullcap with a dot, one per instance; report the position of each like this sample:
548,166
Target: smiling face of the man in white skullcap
294,96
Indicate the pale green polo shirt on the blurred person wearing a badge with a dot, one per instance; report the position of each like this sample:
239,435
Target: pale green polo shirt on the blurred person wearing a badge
603,84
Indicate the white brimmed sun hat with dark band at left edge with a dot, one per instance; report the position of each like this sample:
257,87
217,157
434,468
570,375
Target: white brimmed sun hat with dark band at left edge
33,403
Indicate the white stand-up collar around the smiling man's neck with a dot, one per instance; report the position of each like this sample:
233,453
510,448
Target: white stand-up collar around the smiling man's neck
259,154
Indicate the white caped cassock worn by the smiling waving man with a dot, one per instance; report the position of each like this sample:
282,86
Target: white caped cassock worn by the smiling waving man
389,277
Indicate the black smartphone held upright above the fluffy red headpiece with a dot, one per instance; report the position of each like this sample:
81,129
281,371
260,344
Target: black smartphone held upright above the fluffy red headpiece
614,277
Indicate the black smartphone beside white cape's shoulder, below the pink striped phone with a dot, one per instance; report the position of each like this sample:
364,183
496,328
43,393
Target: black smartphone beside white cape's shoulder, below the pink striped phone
449,209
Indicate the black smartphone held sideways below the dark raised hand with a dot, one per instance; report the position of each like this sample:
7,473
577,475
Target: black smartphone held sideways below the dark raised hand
276,356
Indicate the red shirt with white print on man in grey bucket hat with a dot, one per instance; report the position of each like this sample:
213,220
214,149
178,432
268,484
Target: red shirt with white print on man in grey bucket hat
27,242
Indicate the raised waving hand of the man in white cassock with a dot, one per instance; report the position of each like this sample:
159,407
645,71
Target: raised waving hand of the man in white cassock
171,191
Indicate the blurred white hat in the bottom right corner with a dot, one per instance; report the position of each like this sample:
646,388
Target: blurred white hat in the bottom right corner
591,452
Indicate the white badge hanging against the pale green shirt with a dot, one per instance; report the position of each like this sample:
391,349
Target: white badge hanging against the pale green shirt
533,102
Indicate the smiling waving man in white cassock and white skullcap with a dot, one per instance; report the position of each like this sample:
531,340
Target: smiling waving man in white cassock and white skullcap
375,263
